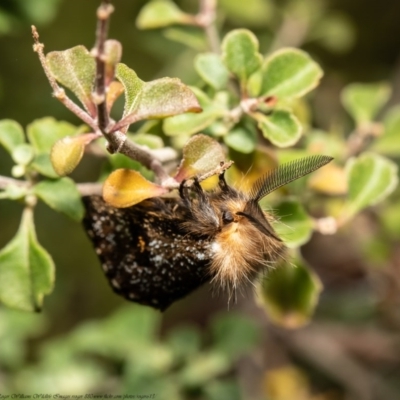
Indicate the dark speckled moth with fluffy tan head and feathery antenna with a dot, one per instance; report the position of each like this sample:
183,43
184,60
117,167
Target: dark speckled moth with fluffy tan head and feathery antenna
162,249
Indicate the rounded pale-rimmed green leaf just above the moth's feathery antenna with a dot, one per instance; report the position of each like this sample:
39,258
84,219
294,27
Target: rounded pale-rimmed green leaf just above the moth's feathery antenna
281,127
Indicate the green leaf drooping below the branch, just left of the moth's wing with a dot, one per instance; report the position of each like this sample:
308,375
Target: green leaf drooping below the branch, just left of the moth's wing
61,195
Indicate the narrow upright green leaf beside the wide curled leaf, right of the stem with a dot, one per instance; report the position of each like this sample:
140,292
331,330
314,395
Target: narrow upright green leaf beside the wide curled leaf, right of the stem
132,85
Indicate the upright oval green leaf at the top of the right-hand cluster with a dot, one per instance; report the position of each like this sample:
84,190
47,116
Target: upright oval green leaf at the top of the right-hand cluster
240,53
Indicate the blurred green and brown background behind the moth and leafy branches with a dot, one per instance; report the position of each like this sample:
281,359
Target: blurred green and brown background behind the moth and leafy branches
87,340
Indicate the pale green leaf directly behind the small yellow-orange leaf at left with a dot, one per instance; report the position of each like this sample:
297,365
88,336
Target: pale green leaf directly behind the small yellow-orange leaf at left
42,135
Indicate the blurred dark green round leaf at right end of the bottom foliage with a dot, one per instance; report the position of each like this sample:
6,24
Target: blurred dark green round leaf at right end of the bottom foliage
234,335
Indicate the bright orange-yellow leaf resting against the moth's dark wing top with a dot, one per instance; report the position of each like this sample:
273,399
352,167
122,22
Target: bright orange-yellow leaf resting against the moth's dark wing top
125,188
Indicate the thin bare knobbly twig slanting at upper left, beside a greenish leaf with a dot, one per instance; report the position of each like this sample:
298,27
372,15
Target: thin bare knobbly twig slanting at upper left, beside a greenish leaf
58,92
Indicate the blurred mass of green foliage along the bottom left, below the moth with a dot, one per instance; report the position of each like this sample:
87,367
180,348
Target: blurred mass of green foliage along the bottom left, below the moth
175,366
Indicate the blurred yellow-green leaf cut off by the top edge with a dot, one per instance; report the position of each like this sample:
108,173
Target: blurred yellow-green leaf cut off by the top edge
161,13
